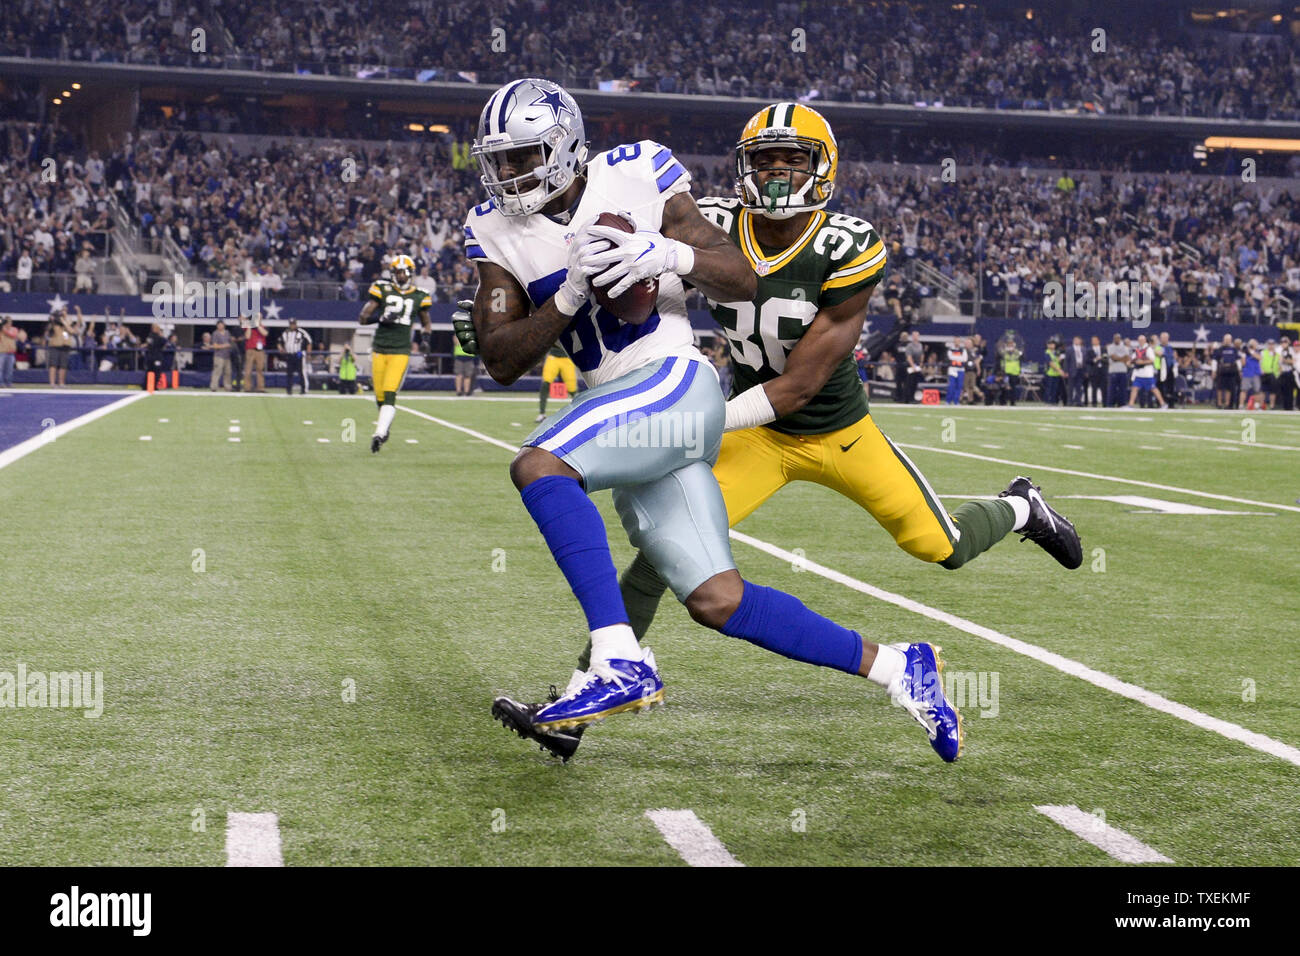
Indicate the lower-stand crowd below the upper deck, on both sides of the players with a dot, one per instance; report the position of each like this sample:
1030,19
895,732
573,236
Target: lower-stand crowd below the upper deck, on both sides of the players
331,214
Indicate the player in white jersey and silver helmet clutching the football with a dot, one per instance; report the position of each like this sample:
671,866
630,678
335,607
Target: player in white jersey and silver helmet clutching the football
652,422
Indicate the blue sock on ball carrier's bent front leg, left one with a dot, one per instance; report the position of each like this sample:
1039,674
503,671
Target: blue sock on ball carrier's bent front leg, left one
575,533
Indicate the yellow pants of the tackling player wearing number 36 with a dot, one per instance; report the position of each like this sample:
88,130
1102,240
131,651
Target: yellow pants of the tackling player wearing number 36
859,462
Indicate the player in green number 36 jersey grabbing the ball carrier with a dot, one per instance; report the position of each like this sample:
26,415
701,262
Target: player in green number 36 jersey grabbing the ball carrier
798,410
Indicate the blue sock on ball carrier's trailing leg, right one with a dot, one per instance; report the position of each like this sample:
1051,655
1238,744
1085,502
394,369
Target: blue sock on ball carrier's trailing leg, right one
779,622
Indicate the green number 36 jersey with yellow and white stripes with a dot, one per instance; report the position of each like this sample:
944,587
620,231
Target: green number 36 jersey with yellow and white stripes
833,261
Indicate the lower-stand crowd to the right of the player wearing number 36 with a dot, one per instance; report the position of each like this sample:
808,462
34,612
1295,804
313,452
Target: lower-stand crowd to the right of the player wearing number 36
1199,244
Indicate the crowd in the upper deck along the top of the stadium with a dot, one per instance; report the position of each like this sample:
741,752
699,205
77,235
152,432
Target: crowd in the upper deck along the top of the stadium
877,53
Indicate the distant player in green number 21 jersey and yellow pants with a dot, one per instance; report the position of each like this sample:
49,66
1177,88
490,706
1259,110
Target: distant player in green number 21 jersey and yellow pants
395,305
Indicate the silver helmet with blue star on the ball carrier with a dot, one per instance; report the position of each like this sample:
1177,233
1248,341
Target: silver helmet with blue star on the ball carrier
530,115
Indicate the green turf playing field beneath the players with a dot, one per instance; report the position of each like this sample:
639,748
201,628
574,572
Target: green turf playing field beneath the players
236,596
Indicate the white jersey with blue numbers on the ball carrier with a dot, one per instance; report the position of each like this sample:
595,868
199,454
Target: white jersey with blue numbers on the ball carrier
639,179
